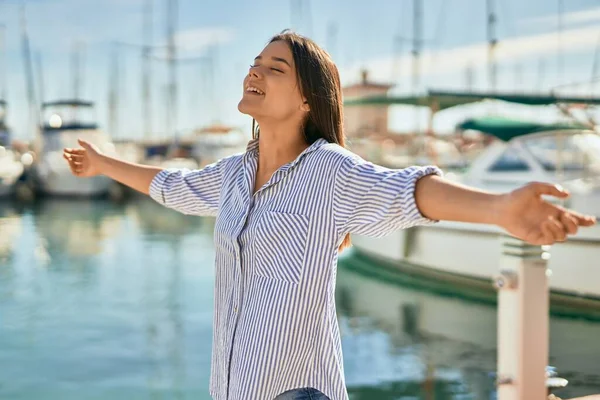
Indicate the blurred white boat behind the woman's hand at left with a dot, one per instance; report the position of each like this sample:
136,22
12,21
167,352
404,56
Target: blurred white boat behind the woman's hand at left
65,122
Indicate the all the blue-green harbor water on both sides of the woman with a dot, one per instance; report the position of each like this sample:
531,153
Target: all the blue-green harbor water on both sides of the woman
114,301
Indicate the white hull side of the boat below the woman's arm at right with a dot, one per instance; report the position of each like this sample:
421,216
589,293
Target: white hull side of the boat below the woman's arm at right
472,251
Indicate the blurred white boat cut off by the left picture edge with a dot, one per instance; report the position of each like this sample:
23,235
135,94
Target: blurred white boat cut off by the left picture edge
11,167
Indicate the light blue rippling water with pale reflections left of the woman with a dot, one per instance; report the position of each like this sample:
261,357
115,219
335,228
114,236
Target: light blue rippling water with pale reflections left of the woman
119,308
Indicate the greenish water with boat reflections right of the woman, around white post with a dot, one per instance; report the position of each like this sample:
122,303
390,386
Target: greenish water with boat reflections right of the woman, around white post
402,341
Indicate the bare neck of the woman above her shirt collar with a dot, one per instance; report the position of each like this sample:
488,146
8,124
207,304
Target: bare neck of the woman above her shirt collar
279,144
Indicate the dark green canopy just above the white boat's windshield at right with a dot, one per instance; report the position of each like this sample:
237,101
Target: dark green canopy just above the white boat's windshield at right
506,129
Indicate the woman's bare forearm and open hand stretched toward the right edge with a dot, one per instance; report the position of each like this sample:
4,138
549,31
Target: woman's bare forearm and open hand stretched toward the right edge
522,212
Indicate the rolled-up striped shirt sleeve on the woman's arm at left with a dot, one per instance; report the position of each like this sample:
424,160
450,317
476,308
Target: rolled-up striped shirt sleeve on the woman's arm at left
193,192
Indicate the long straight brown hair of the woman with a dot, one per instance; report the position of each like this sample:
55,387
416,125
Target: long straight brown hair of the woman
319,82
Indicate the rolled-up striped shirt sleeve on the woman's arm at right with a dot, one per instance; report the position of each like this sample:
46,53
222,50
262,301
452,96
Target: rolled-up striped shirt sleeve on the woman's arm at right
374,201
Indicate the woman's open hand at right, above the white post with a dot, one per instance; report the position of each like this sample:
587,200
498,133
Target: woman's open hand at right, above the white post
525,215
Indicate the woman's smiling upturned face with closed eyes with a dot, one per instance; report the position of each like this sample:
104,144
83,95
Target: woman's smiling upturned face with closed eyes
271,89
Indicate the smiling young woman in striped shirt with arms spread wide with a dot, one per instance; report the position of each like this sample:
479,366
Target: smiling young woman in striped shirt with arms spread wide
286,207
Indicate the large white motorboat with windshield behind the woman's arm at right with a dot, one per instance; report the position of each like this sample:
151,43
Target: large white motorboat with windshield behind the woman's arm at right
461,250
